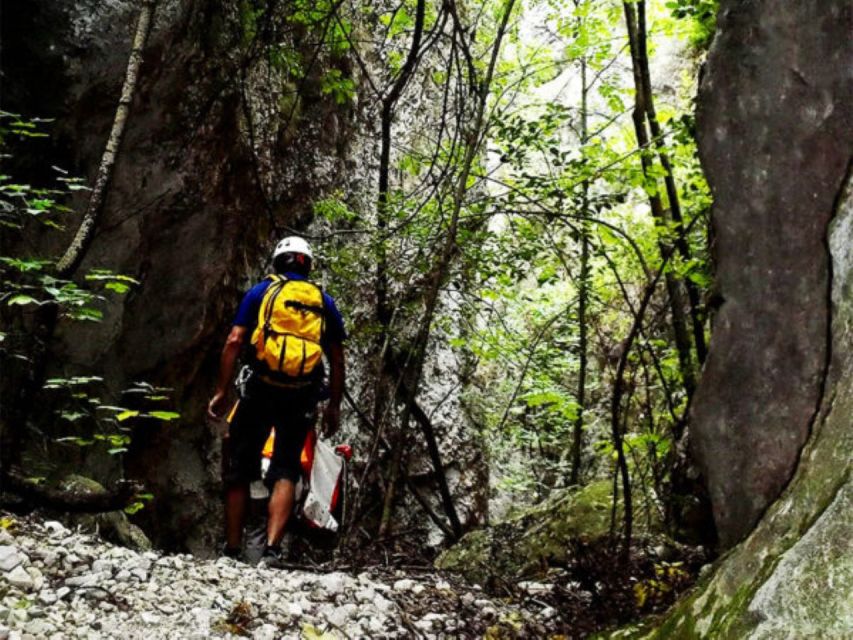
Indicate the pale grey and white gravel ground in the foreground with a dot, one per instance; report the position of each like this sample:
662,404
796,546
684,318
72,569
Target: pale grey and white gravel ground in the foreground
58,583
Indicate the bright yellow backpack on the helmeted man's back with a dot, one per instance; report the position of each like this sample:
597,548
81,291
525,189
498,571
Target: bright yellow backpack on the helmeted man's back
291,322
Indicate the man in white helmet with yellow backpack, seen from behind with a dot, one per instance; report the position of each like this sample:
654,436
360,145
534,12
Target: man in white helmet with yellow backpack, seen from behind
285,323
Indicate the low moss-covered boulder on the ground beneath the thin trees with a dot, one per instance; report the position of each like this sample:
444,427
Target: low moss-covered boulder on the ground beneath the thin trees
525,545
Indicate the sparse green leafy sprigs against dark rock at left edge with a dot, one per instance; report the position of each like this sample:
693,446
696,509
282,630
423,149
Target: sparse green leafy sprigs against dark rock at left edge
30,282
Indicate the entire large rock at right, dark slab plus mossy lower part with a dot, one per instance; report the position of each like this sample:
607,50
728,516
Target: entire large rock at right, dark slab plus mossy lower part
777,141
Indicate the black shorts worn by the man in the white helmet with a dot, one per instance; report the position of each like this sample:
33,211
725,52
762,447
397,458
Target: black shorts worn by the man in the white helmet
292,412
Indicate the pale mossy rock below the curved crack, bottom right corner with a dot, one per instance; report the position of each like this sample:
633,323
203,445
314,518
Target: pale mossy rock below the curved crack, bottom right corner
793,576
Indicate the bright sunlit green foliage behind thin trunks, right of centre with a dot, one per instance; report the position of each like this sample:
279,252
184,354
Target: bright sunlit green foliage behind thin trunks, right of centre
559,178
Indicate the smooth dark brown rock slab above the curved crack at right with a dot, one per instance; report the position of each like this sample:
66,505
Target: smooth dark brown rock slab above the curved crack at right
775,137
